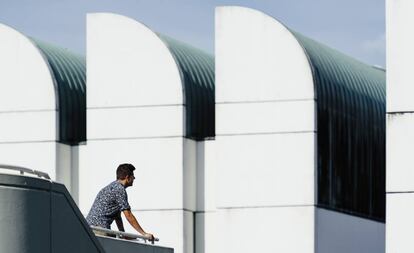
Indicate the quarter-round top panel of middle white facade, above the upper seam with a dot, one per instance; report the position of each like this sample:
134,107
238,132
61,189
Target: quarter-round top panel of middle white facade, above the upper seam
128,64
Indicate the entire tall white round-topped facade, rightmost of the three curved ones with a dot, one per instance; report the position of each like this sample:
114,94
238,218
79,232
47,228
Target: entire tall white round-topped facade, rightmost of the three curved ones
265,136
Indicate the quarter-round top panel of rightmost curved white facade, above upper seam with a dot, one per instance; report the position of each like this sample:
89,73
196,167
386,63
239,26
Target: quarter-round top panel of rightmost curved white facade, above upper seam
258,51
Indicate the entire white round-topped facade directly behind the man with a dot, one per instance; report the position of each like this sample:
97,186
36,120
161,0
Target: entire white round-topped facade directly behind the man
136,115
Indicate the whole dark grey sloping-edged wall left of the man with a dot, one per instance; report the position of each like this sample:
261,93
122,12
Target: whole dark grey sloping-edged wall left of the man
40,216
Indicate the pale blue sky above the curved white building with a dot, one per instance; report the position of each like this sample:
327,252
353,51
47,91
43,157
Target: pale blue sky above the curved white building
354,27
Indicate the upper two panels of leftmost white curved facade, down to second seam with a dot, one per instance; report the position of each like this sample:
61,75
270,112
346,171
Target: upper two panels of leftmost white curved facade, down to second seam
27,93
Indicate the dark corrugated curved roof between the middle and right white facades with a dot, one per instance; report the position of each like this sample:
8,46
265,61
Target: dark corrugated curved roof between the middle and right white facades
197,76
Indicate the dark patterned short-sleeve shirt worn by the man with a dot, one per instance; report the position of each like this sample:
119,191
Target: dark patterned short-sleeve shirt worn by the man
108,204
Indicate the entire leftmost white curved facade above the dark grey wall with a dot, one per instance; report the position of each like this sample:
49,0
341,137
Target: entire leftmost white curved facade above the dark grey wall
28,109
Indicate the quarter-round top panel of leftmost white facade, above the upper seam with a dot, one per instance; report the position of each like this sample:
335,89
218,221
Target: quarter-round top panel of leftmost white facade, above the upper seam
26,82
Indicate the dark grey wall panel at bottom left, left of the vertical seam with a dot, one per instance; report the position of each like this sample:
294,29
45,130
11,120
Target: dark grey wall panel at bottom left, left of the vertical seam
24,220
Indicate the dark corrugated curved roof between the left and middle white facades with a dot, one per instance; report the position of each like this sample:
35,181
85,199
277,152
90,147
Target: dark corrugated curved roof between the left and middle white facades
69,72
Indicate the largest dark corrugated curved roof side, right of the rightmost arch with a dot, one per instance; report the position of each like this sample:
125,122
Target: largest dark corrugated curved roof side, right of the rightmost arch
351,131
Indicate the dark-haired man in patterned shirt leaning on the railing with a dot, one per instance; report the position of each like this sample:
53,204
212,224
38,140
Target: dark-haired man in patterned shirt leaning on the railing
112,200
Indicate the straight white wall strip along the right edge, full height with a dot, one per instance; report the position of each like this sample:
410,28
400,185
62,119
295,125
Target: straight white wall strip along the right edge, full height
400,125
